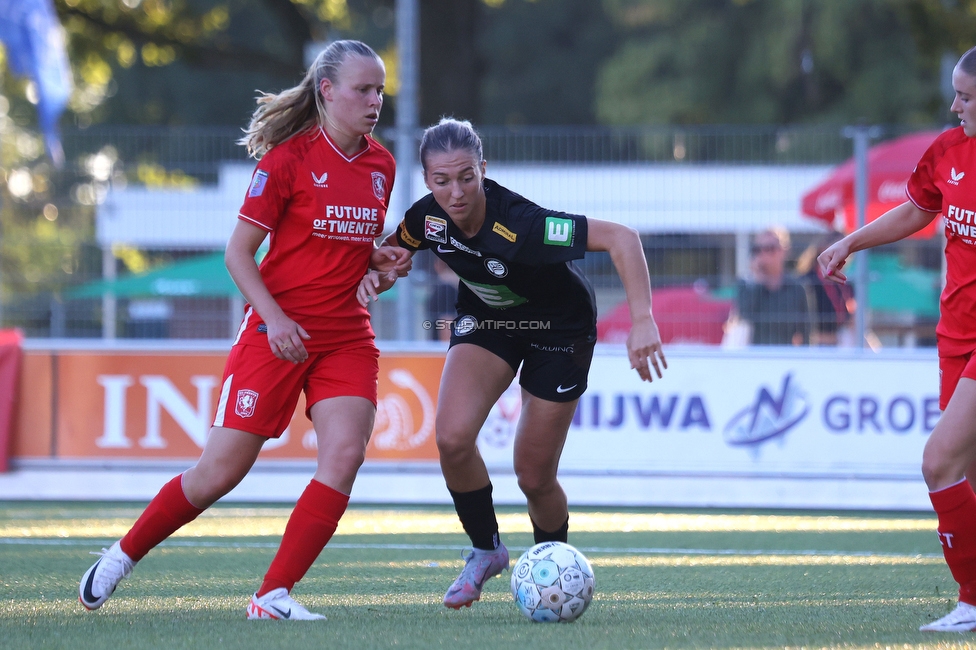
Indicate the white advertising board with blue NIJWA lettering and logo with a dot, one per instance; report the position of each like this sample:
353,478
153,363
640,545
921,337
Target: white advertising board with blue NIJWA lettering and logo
745,429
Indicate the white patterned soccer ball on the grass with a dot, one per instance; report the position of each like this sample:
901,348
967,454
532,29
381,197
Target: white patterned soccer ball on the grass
552,582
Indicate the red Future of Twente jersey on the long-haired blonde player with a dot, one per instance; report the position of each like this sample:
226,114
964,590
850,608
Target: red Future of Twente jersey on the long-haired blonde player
323,210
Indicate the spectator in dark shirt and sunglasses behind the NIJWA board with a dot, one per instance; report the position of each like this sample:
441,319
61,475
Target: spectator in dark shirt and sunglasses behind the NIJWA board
771,307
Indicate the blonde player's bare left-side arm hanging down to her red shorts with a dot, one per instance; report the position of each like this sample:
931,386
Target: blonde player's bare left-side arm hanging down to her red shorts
285,336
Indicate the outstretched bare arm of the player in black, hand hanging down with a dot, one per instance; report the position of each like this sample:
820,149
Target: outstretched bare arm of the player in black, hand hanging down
624,245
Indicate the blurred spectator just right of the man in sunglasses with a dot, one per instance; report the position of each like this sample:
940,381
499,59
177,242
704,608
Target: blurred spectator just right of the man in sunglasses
831,304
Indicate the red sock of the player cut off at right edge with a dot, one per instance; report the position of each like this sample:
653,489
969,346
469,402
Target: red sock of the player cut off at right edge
956,507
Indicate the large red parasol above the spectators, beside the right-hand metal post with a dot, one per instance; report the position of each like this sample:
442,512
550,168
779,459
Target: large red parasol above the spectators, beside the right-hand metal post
889,166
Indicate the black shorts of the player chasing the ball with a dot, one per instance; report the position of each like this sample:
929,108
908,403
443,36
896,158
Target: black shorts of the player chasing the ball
553,369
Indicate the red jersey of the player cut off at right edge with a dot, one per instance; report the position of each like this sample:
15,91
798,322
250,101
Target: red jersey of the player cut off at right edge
944,181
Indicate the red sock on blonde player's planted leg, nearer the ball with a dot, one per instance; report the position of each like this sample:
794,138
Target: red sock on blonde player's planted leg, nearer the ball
309,529
